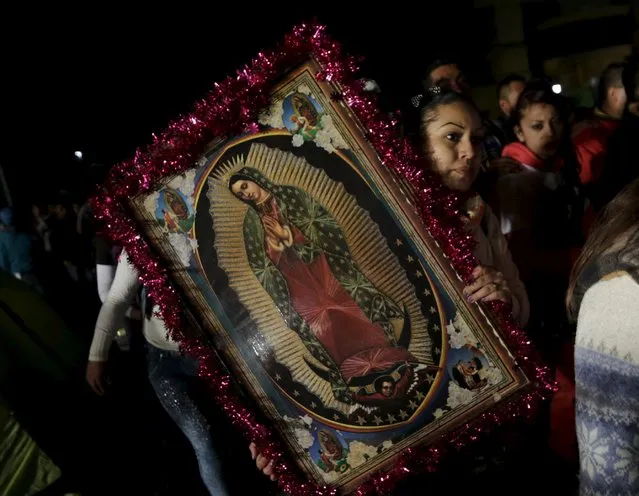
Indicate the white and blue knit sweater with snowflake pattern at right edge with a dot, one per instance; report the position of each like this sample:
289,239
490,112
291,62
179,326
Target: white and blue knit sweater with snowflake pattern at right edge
607,387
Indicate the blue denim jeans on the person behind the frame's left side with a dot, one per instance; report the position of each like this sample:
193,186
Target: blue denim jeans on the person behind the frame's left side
170,374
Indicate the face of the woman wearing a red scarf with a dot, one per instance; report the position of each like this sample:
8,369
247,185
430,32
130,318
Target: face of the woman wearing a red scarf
540,129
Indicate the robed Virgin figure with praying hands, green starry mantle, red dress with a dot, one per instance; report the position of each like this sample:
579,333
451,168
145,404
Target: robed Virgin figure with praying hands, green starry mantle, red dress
301,258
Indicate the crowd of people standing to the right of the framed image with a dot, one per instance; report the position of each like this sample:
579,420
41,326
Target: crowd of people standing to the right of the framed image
547,191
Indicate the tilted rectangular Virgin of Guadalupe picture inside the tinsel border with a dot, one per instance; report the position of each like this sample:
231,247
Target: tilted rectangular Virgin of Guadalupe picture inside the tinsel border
305,261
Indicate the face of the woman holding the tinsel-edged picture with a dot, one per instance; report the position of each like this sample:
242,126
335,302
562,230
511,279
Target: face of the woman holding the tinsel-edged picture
455,136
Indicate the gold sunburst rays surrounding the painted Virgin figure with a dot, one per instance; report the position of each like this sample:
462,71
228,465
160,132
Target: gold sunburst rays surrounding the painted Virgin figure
367,245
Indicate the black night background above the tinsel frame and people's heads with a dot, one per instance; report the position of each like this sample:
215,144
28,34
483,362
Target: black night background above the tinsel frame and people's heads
102,80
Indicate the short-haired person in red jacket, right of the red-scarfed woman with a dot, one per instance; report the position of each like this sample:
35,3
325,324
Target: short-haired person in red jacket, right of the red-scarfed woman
590,137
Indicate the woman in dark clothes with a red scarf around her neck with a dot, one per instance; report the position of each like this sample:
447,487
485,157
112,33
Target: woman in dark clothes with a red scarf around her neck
539,203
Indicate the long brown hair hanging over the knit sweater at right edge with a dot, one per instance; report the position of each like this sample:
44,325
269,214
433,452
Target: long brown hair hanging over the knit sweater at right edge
619,217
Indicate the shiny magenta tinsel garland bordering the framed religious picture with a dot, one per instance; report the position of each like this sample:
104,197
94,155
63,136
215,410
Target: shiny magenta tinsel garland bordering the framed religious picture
233,108
